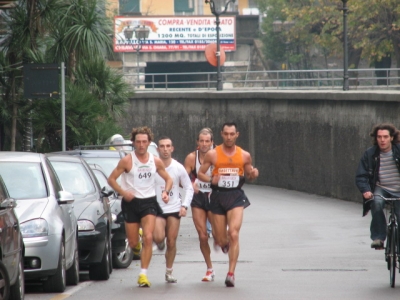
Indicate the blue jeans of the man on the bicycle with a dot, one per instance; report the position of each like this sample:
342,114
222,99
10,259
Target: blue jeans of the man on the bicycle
378,222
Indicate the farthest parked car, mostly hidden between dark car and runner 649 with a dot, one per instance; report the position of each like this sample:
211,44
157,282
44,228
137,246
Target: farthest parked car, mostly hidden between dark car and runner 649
122,254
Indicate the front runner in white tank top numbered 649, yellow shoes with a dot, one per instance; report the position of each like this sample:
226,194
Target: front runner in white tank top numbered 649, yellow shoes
139,203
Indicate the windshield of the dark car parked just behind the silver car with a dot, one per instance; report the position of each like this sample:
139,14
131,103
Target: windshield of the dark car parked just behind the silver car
74,177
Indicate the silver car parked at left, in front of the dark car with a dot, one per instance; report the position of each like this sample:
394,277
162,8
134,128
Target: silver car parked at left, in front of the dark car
47,222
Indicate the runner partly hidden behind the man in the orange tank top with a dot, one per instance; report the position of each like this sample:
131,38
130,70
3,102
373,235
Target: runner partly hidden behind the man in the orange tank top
200,202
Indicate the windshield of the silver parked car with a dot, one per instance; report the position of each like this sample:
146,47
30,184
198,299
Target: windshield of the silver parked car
24,180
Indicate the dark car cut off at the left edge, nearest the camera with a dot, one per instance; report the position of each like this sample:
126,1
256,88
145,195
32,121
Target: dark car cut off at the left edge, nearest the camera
12,249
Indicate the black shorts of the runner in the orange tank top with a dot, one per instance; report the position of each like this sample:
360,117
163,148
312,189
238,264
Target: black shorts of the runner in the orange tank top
222,201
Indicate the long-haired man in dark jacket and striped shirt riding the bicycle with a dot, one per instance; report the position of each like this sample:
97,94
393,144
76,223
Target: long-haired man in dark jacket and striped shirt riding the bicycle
378,174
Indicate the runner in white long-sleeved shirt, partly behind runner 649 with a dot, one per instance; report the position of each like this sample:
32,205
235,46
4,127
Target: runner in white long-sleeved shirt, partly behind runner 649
167,224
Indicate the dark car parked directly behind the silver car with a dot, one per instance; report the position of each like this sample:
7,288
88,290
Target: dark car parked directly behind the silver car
93,212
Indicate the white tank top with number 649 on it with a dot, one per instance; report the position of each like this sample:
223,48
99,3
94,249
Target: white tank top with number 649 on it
141,178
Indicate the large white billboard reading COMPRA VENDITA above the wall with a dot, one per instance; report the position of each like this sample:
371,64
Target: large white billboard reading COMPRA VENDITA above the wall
177,33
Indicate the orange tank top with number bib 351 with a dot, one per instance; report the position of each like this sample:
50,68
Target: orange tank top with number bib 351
231,168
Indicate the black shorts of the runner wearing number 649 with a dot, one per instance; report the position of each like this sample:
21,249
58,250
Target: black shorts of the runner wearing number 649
138,208
